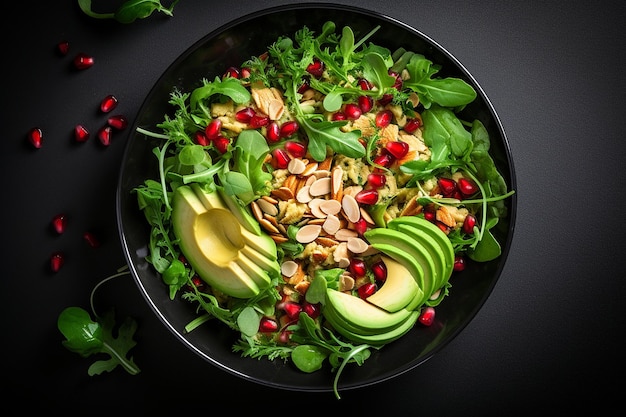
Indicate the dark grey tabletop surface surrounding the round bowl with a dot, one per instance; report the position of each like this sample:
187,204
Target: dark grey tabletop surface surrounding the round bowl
548,339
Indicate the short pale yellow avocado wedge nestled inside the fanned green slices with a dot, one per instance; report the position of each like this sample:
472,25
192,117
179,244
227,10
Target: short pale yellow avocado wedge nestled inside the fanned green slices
399,289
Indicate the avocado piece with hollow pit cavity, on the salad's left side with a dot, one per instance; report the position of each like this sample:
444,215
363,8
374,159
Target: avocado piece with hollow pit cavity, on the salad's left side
212,242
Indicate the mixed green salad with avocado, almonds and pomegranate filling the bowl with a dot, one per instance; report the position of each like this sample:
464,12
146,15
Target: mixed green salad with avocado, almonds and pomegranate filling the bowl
318,198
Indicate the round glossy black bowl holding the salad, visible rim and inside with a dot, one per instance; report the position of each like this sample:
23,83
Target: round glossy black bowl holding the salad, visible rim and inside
231,45
